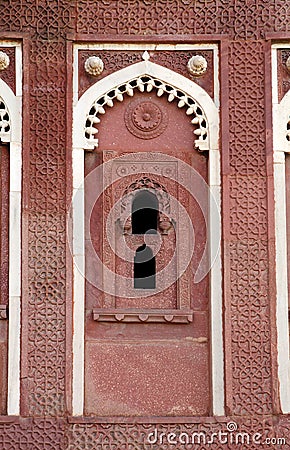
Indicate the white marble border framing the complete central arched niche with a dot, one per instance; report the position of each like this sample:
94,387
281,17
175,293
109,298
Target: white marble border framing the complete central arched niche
81,108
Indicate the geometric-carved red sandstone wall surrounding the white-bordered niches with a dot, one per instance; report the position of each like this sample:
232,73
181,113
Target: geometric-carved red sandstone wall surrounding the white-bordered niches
47,30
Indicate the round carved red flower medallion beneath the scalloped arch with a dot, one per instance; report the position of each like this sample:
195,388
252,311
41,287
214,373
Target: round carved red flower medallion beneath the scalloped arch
145,119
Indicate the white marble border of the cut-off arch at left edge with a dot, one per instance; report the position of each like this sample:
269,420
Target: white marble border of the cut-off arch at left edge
14,106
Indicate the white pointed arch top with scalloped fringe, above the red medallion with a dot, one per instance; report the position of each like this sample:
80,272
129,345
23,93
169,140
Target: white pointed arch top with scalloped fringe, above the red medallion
146,76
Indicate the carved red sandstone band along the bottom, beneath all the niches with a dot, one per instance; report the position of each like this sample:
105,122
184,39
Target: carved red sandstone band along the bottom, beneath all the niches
55,434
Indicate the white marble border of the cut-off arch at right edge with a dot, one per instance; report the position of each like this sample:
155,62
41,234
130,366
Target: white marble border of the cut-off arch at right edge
281,146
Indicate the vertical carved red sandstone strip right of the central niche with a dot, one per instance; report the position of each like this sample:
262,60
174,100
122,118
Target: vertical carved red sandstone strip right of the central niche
250,331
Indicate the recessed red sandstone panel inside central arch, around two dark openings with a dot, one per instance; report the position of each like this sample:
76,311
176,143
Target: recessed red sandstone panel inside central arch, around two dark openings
137,333
